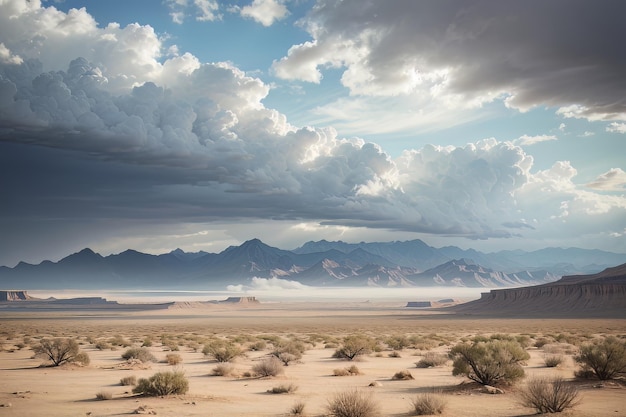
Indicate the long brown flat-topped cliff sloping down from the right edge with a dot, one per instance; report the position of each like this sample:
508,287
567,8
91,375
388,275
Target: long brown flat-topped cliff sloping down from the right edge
598,295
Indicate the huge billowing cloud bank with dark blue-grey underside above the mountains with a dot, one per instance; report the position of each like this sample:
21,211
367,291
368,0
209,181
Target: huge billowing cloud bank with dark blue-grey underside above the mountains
100,132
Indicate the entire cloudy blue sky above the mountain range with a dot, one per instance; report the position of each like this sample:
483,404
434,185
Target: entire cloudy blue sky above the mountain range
199,124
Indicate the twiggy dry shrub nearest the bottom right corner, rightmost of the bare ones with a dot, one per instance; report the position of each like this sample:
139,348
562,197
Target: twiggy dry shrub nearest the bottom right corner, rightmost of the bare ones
549,395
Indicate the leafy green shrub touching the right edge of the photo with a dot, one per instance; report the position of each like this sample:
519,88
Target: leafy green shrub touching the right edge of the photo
606,358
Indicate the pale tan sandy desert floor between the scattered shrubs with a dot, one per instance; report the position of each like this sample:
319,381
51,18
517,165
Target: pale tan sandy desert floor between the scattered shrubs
26,389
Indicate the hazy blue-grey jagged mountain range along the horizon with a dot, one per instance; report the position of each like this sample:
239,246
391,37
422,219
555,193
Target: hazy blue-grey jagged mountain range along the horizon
323,263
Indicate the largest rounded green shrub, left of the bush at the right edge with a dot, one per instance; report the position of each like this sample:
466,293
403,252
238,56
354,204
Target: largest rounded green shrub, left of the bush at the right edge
491,362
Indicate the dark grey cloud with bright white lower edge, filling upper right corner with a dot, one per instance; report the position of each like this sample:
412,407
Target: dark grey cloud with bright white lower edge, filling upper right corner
471,52
